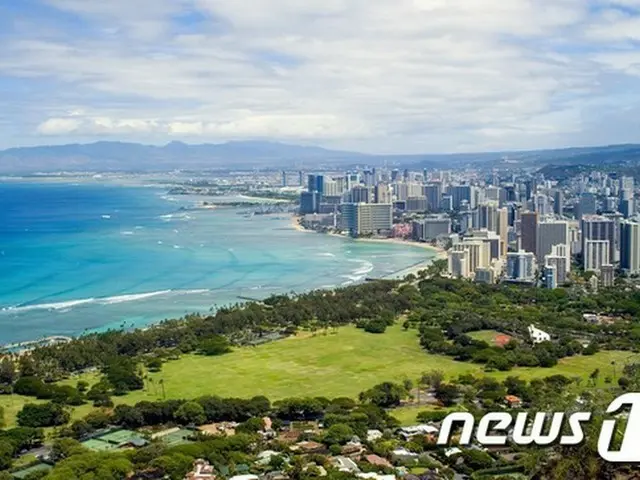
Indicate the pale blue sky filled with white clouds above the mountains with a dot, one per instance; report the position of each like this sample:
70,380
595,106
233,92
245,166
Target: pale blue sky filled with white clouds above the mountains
379,76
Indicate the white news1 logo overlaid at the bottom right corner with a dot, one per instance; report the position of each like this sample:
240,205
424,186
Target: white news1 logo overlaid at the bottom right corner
492,429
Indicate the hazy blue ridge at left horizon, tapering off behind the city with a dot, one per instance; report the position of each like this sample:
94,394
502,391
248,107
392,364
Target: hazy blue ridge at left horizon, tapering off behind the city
120,156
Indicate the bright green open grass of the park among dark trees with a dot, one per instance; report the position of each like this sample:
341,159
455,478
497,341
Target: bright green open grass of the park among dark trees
332,365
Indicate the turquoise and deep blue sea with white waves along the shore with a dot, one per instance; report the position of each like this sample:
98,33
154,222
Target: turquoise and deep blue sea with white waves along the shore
76,258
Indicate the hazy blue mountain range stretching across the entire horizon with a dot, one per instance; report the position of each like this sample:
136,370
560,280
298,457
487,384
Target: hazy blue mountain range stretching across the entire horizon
135,157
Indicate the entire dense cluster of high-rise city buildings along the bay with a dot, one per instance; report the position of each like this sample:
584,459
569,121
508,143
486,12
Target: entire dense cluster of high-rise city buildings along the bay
512,228
